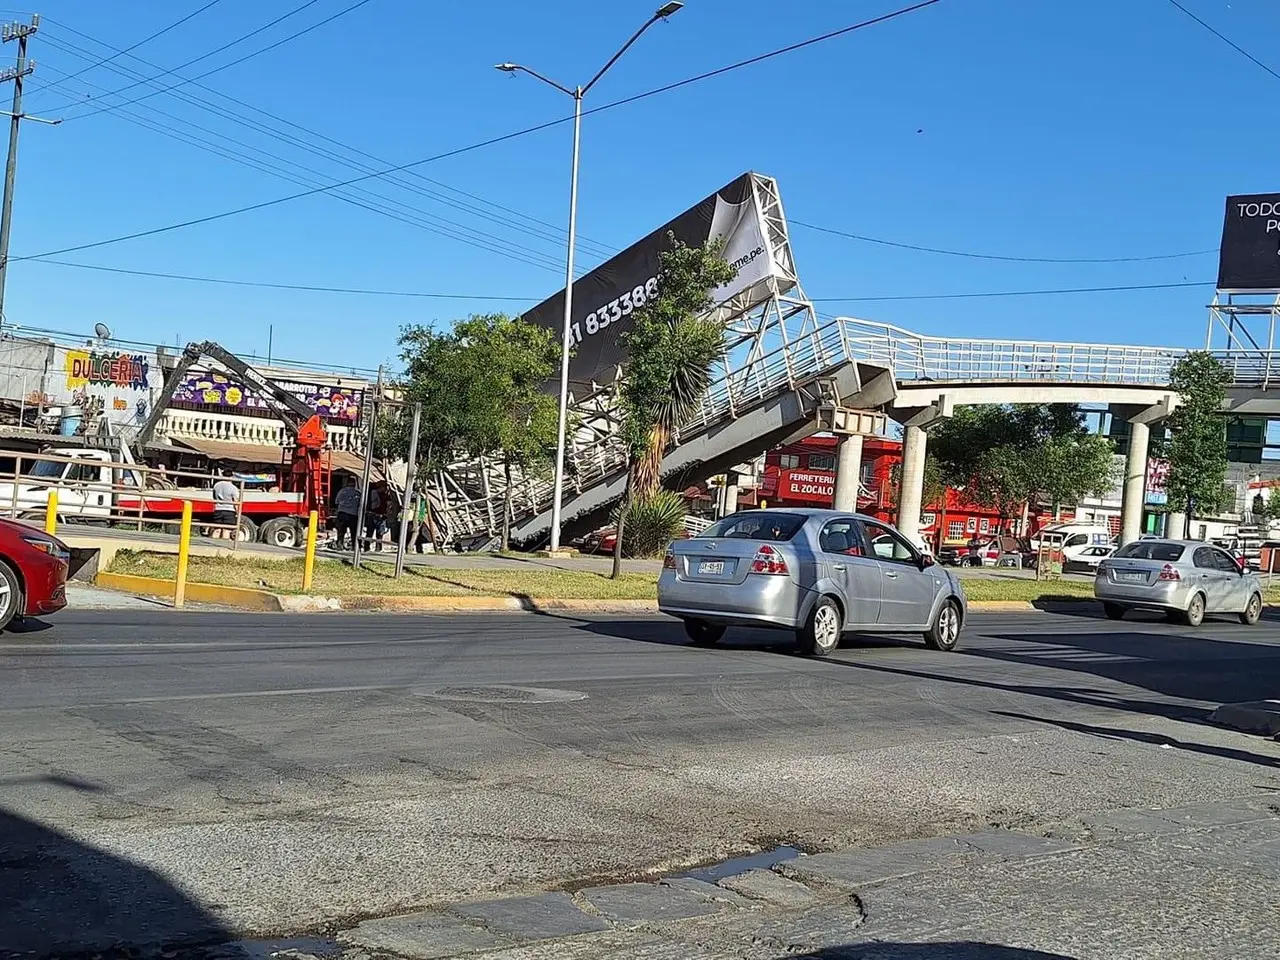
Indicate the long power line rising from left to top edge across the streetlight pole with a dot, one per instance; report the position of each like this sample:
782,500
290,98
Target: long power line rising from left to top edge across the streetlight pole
483,144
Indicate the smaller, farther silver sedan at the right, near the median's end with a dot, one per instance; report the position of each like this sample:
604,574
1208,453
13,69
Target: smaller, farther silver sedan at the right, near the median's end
1186,579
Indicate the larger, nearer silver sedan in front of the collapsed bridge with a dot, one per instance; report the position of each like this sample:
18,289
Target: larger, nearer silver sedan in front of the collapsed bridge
819,573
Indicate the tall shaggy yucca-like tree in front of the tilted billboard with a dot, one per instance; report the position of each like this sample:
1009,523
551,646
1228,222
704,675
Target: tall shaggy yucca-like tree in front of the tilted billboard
671,346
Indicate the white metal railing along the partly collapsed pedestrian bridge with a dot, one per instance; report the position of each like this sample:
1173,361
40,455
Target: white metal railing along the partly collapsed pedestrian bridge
912,358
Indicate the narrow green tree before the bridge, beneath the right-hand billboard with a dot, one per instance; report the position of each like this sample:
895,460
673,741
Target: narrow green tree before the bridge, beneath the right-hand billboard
1196,447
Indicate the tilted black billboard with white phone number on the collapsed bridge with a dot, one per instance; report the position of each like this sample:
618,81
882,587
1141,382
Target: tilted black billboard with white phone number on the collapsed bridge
605,299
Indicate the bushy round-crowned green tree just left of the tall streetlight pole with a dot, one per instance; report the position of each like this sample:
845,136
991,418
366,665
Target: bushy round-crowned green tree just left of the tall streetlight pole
482,391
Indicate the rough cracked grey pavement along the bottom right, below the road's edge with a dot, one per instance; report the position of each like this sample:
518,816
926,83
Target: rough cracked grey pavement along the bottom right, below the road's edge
1126,885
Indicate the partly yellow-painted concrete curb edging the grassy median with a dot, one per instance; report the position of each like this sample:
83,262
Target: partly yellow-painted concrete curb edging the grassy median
264,601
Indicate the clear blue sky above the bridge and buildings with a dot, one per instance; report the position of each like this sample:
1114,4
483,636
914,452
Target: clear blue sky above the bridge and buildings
1090,129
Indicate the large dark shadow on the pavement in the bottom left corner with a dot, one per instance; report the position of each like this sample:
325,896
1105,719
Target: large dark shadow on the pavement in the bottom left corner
62,897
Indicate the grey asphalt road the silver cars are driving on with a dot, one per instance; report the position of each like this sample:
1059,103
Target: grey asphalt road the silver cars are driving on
275,774
